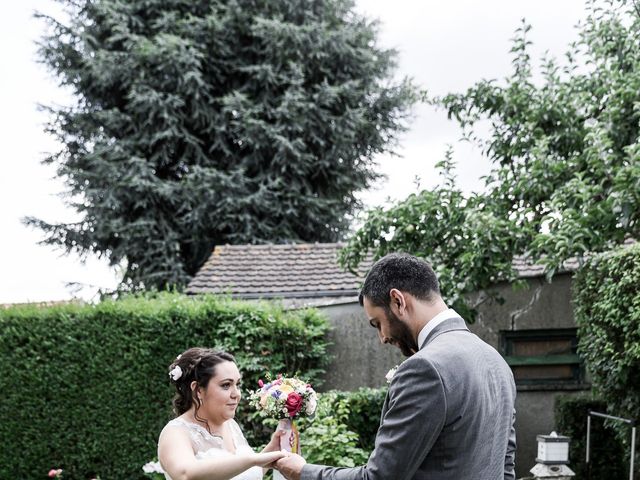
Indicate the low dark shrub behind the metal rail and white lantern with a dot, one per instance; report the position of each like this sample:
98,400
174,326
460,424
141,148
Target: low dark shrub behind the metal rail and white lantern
607,455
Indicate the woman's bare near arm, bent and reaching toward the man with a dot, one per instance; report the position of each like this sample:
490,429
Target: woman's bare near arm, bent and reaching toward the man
177,459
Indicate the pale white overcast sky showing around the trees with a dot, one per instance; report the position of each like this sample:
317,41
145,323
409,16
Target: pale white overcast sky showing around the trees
444,46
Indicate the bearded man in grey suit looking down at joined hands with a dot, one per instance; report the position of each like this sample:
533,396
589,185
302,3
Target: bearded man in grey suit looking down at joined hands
449,411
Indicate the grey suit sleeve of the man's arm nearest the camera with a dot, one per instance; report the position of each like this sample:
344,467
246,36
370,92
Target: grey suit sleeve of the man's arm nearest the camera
414,419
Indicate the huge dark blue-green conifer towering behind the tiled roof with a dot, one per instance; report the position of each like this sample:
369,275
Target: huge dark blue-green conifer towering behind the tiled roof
210,122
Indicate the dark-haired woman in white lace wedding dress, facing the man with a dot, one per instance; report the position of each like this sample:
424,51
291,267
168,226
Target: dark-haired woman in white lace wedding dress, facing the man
204,441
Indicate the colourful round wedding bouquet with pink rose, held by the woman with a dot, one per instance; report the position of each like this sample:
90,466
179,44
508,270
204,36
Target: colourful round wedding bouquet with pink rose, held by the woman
284,399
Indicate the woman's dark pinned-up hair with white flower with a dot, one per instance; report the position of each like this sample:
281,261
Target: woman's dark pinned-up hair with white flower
195,364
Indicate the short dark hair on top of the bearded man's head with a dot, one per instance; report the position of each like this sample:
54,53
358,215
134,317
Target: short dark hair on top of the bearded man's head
402,271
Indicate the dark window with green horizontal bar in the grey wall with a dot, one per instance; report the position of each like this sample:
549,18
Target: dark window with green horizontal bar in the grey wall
543,358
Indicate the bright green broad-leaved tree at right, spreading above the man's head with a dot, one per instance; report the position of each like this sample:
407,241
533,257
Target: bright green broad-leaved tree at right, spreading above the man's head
565,176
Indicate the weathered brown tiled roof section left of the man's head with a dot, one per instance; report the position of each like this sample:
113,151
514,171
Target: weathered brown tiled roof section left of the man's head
285,271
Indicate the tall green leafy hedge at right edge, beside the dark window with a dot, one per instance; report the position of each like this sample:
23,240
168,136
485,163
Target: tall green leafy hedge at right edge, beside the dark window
606,295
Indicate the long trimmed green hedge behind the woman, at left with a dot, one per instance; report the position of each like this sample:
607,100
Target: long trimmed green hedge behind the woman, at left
85,388
